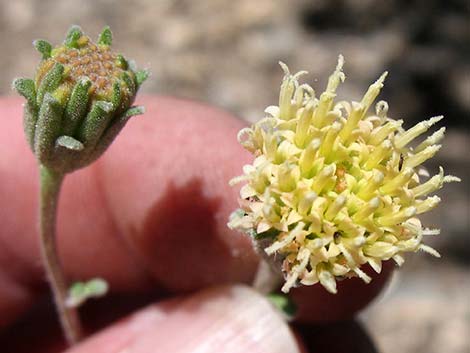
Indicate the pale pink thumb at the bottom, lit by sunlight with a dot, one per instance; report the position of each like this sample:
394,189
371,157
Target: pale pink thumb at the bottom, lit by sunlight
232,319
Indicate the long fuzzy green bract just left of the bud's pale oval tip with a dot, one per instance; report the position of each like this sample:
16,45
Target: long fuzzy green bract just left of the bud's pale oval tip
47,128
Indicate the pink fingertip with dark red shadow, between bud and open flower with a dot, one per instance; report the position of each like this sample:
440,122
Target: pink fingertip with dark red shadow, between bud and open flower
166,183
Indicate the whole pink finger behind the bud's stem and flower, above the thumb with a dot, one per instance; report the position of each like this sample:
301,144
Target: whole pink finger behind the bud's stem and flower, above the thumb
151,212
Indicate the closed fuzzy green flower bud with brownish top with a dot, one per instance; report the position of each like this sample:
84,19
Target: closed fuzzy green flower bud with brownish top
79,101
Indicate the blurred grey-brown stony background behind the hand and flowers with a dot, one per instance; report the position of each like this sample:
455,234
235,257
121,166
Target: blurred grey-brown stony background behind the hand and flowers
226,53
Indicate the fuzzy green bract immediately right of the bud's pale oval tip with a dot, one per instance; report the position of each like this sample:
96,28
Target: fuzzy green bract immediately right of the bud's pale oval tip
95,123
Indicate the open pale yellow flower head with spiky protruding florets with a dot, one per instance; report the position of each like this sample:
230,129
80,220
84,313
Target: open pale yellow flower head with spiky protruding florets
332,187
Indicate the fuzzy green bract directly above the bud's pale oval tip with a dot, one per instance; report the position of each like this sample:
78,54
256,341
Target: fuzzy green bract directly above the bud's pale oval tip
77,106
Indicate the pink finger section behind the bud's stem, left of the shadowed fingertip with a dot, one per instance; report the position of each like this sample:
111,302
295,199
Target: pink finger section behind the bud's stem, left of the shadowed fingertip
20,263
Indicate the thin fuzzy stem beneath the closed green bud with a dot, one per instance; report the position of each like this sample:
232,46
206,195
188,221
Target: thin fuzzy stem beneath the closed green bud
50,183
